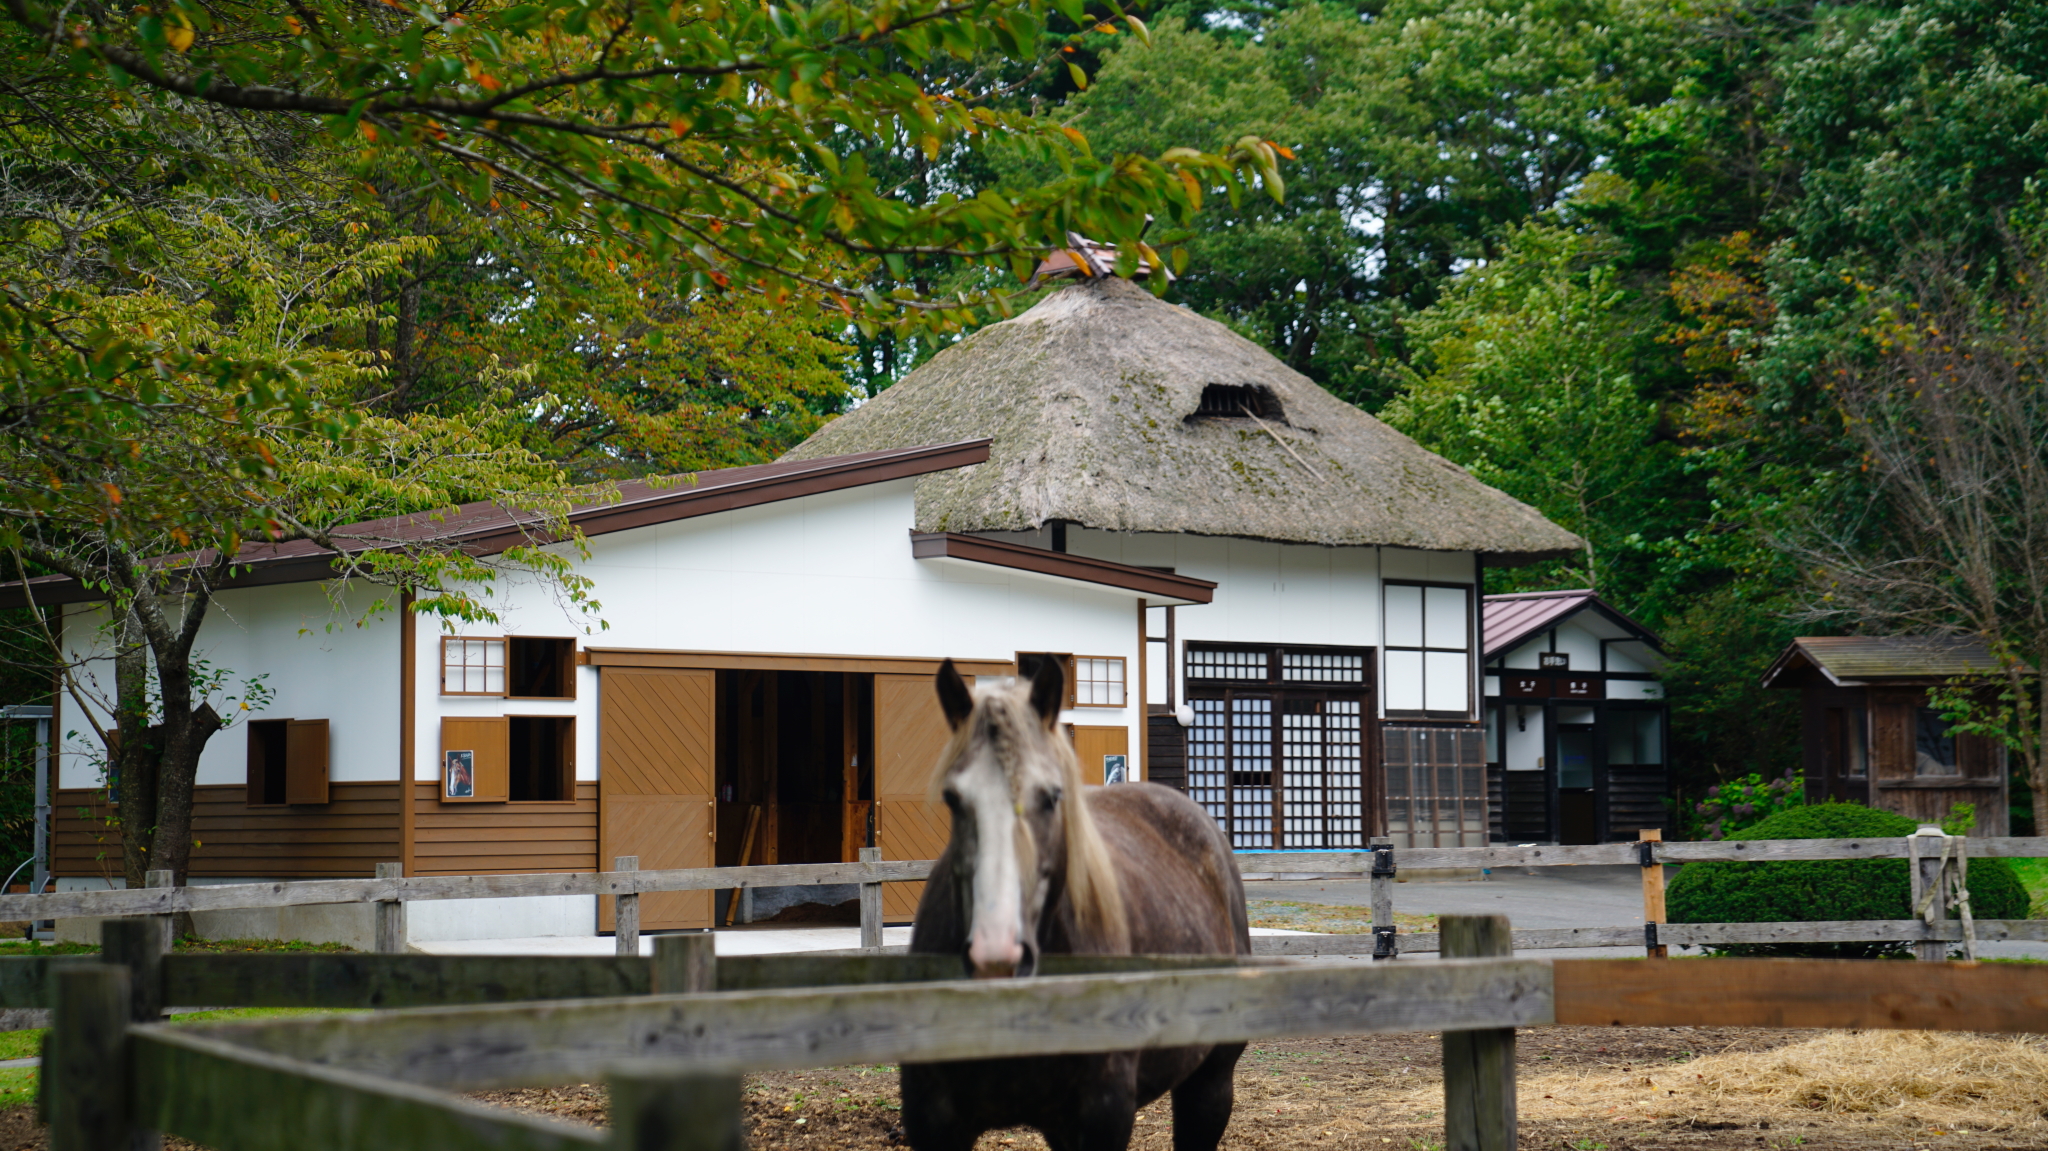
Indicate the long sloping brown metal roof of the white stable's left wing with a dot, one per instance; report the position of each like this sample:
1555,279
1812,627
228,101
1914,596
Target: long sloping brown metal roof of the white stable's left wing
488,529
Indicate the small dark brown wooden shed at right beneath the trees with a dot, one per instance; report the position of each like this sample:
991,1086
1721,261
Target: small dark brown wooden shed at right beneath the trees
1871,738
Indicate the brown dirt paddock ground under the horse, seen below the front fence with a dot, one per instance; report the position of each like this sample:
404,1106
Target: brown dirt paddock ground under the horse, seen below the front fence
1580,1091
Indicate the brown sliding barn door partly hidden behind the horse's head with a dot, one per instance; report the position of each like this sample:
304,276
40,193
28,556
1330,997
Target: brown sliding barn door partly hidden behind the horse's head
910,732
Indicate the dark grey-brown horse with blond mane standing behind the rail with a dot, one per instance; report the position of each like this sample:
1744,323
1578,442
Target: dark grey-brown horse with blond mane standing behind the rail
1039,865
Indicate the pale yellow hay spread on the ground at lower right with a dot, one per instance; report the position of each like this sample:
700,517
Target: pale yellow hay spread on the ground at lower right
1922,1080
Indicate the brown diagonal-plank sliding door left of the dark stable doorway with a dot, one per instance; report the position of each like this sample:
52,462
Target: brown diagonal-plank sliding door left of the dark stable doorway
656,749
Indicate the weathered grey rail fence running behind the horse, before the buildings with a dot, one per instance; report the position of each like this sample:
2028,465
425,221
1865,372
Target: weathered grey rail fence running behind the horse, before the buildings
390,892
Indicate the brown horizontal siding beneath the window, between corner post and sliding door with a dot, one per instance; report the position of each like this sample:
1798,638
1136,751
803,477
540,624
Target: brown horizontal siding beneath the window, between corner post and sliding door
505,839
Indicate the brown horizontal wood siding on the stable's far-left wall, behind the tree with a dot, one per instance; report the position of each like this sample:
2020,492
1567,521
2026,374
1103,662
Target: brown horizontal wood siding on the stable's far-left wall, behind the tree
337,841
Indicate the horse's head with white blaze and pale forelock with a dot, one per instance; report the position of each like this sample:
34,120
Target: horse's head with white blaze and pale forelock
1021,833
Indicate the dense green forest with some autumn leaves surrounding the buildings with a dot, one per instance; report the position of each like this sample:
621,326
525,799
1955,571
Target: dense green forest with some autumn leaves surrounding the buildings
1742,292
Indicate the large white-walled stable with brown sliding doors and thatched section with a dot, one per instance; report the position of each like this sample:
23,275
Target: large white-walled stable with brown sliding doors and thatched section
1258,593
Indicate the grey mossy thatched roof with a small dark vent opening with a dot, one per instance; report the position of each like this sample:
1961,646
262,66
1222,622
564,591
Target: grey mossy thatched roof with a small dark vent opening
1093,402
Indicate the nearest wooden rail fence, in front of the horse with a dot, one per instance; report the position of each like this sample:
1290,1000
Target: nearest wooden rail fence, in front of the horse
673,1035
